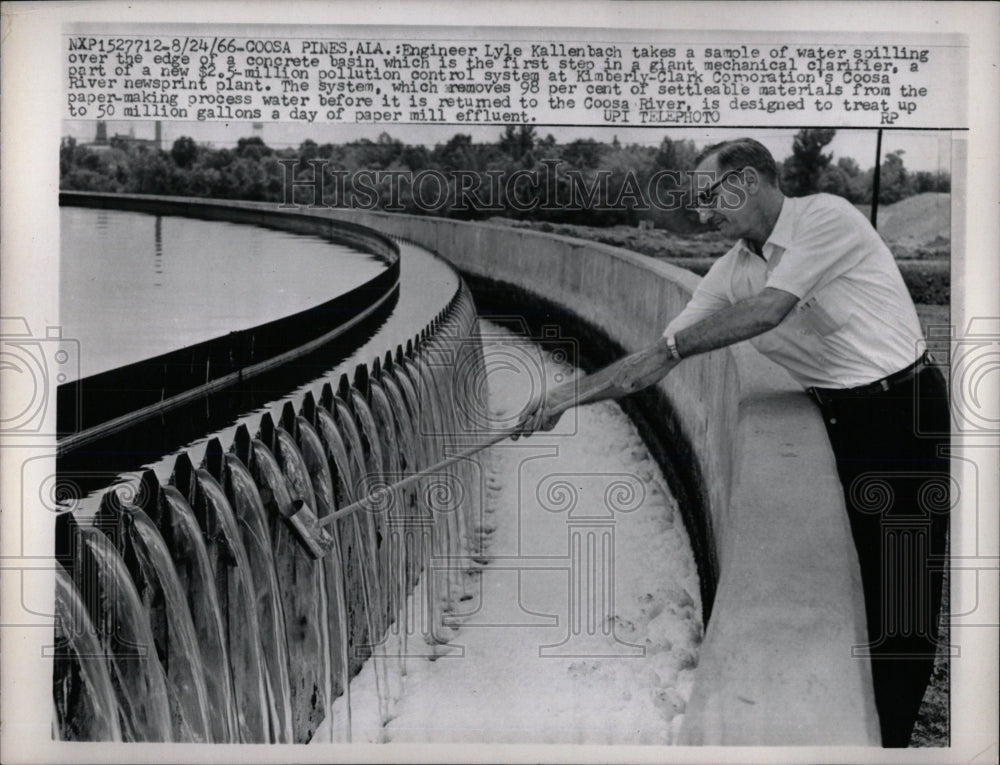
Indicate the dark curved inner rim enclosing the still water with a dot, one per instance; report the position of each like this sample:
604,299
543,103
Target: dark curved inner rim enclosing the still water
151,386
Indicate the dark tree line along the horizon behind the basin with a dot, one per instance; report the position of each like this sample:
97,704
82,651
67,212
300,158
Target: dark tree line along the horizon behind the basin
612,174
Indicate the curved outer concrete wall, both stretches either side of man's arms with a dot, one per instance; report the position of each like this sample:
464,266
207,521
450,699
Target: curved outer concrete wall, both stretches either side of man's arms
776,666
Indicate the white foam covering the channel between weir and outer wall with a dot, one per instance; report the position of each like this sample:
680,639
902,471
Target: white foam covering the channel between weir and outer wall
495,681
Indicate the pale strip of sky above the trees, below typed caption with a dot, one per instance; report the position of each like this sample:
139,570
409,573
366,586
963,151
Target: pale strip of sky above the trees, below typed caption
923,150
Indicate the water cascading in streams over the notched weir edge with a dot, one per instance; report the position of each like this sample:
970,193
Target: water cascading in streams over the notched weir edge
190,611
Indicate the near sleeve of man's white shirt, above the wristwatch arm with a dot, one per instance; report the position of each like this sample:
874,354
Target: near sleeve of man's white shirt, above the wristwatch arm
825,244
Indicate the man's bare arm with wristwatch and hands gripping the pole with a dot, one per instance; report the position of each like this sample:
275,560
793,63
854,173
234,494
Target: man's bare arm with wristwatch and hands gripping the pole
741,321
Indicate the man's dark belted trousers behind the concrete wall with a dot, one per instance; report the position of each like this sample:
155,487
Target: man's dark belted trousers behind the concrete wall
897,489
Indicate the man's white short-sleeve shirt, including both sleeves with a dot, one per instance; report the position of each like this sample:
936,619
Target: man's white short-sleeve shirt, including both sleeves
855,321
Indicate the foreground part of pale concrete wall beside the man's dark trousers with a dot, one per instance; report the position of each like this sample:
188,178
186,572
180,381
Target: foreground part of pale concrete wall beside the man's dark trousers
776,667
